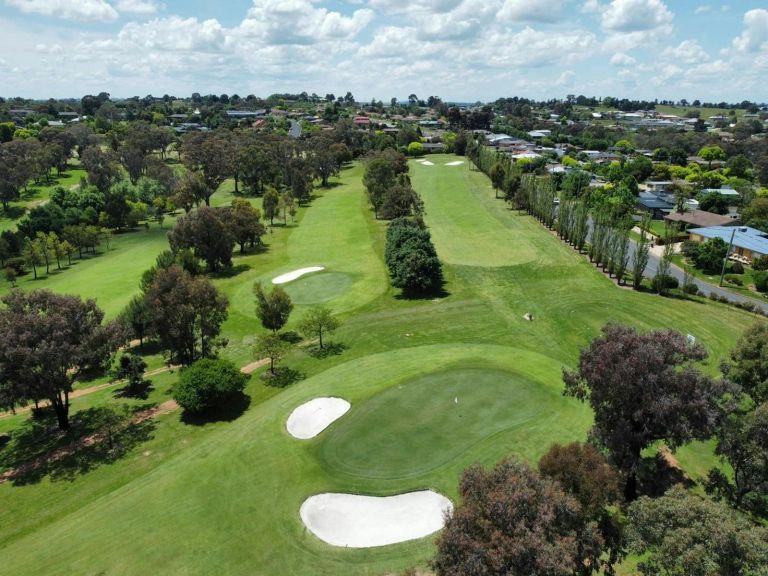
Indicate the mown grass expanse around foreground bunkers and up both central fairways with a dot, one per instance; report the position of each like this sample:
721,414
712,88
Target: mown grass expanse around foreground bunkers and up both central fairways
224,497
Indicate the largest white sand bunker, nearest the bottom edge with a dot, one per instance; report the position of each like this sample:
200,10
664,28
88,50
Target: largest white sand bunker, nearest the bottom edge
367,521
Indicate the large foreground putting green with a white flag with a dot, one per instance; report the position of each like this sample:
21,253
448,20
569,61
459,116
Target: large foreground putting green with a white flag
429,421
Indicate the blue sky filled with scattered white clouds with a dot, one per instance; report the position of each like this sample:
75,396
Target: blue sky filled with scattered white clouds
461,50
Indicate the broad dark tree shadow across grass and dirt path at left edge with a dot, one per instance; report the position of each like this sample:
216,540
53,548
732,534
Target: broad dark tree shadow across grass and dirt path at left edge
97,436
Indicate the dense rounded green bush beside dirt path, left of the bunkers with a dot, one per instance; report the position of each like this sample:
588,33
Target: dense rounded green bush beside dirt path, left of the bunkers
208,383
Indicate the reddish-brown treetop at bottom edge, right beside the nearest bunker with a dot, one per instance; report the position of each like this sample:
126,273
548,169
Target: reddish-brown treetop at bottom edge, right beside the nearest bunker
512,522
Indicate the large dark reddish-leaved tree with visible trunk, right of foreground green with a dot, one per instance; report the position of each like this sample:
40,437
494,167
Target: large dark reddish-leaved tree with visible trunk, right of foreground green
643,388
